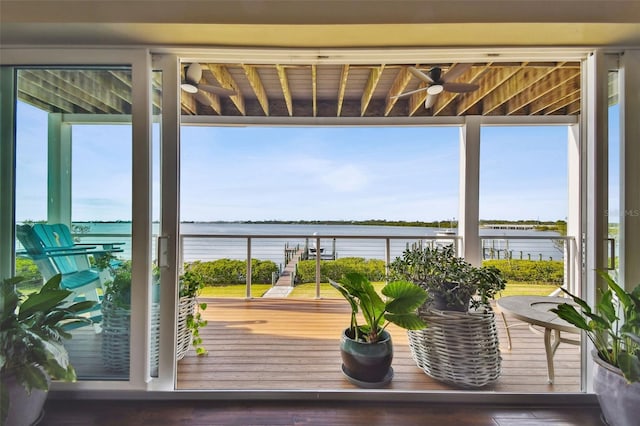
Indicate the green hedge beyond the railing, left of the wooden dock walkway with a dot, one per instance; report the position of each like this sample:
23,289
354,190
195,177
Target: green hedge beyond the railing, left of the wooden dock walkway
230,271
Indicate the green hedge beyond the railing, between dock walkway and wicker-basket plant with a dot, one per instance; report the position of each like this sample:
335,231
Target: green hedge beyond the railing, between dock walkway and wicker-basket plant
373,269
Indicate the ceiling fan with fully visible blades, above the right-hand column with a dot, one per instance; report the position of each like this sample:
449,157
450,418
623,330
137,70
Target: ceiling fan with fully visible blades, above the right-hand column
437,82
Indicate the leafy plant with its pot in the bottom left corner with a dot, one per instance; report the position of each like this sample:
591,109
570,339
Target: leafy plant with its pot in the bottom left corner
32,330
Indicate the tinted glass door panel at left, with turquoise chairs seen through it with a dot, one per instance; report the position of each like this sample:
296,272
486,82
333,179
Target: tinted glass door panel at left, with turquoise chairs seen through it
73,189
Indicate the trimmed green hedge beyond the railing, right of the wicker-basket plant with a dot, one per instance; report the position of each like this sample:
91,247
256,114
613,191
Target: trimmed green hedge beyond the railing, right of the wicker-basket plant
550,271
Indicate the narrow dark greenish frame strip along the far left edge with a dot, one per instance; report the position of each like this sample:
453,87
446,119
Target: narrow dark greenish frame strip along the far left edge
7,172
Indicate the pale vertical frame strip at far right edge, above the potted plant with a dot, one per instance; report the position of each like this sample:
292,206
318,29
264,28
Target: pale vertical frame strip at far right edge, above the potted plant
629,170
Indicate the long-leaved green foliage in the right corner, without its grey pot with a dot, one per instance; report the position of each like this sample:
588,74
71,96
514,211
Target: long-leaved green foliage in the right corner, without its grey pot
614,326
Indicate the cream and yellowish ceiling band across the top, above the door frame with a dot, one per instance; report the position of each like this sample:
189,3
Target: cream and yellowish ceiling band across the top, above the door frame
316,23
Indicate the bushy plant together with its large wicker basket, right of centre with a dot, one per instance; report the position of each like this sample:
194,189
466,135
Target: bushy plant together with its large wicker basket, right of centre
460,346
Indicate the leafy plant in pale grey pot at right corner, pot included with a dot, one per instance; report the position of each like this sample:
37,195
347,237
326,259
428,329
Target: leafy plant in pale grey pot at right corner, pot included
614,330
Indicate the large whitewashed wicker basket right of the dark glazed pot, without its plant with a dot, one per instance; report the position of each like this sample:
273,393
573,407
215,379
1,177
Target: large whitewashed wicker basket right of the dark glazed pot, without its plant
458,348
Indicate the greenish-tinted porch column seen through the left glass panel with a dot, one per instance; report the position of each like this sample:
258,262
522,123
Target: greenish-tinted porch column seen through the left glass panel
59,170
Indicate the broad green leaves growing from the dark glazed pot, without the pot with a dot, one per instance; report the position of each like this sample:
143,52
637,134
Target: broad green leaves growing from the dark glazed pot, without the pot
402,300
